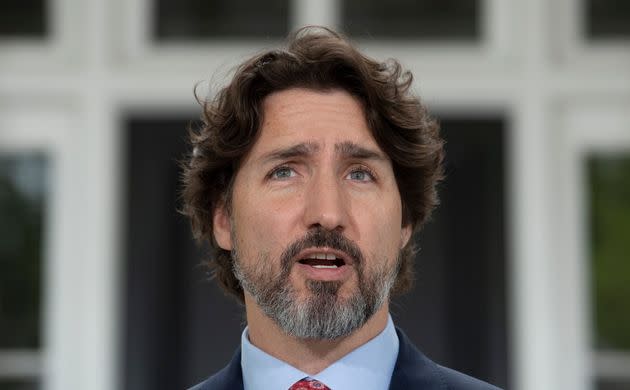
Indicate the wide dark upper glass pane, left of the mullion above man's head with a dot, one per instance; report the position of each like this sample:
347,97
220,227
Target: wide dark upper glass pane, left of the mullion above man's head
194,19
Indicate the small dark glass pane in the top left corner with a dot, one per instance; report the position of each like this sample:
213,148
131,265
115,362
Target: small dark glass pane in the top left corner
23,18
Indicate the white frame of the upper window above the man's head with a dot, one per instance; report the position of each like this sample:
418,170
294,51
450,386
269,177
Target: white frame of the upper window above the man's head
137,50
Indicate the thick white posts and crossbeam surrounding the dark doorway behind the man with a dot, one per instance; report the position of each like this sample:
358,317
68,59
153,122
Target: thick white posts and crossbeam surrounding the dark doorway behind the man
530,65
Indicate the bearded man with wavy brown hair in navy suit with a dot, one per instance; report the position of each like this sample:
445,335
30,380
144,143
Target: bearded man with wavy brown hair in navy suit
314,168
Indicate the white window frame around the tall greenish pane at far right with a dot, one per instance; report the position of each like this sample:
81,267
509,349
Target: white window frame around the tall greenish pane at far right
588,127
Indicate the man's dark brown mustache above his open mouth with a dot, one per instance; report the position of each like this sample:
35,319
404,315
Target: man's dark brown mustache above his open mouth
320,237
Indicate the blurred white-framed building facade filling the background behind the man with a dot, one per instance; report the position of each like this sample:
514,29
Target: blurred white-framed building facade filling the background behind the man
523,277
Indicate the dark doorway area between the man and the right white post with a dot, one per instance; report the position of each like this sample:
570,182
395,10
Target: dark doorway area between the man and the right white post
457,311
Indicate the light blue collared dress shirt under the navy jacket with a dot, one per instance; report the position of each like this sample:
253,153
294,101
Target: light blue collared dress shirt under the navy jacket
368,367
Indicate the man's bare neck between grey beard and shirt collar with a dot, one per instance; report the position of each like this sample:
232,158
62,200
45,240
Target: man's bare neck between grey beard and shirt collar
307,355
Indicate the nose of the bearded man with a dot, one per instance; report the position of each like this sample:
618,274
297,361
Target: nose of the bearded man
326,204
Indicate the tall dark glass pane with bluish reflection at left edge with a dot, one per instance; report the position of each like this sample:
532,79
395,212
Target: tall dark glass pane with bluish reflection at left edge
22,200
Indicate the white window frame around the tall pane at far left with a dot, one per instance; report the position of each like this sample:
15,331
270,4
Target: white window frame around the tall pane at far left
32,124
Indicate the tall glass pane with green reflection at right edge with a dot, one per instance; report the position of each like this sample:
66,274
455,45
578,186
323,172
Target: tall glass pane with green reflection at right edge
610,224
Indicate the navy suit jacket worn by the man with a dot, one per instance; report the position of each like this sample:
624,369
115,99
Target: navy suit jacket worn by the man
412,371
